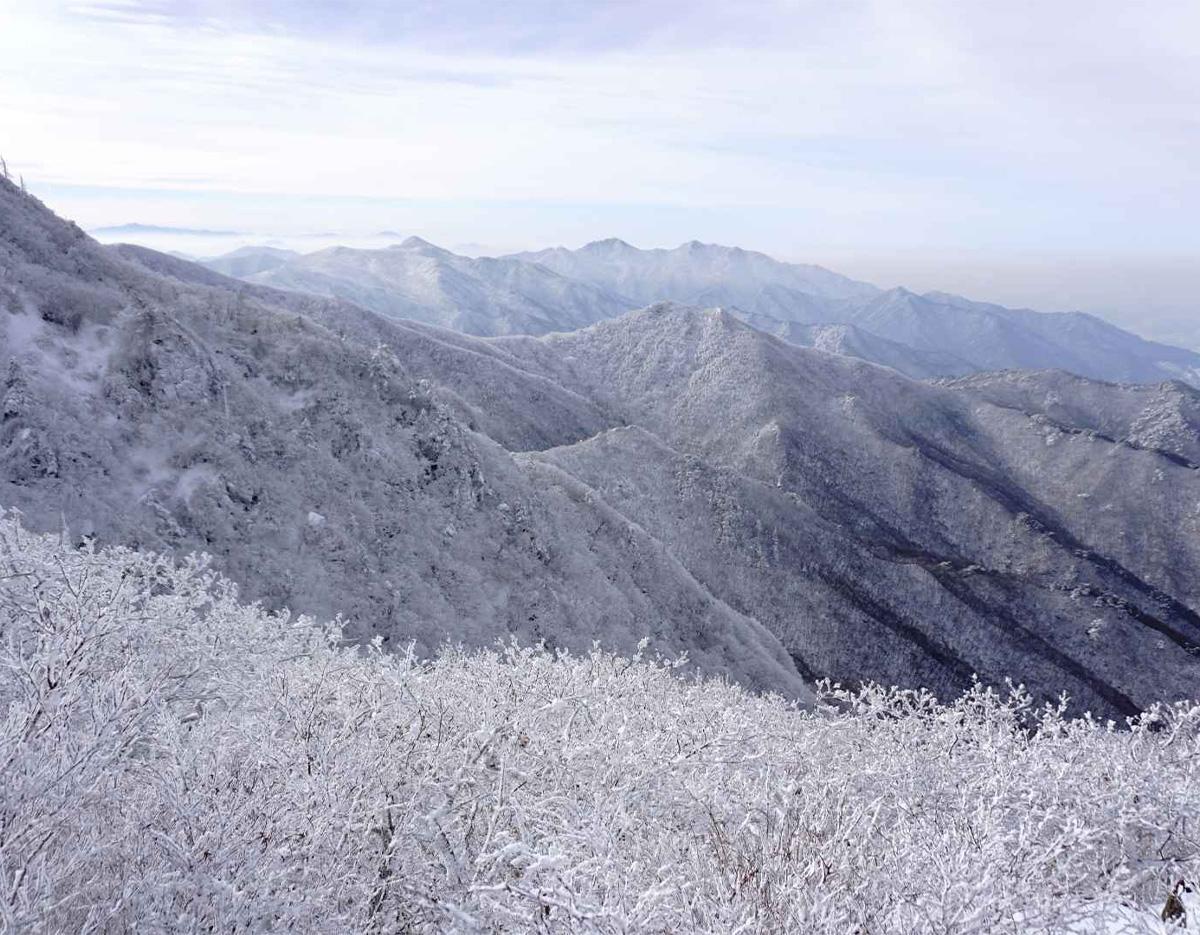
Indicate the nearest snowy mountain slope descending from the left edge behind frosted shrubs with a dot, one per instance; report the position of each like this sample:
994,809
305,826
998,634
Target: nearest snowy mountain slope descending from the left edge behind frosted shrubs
314,465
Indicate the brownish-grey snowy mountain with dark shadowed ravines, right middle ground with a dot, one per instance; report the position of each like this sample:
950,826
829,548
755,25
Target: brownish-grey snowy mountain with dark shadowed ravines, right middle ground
886,529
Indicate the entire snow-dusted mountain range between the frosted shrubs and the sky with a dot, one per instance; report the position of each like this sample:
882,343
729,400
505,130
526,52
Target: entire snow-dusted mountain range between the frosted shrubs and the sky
779,513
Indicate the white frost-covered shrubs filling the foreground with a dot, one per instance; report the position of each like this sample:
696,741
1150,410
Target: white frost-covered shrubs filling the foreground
172,759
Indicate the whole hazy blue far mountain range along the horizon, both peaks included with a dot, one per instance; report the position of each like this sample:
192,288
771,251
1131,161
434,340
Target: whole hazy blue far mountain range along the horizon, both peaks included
921,335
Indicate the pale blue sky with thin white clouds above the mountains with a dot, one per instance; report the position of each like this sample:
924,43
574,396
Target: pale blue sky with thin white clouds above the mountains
1033,153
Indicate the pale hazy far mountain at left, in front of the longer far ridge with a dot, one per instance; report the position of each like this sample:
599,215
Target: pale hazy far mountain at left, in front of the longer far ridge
427,284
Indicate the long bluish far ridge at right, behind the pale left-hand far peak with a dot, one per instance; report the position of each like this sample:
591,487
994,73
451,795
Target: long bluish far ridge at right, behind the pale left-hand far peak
980,337
